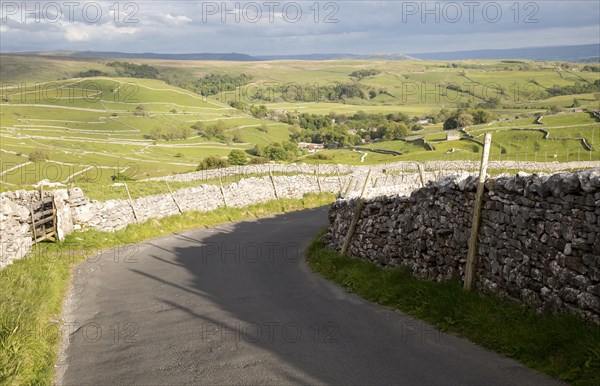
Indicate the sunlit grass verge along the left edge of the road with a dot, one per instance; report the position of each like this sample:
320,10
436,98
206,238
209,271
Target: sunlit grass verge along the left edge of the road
33,288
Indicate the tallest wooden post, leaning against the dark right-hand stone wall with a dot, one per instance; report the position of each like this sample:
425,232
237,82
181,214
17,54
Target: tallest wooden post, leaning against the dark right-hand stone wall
476,221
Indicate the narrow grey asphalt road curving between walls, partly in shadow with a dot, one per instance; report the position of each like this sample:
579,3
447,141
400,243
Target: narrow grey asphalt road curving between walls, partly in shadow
236,304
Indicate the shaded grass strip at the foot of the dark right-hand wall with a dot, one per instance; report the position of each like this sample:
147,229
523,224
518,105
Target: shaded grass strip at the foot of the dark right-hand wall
563,346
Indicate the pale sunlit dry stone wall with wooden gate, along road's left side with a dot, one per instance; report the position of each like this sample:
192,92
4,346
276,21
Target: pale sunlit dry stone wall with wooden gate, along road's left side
76,213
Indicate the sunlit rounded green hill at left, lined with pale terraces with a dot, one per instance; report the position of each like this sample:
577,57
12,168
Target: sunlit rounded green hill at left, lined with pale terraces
108,124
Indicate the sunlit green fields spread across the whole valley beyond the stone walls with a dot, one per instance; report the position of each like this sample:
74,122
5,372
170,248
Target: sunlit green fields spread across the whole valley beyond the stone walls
93,128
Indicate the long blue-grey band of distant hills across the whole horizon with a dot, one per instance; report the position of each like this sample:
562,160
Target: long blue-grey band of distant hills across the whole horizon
580,53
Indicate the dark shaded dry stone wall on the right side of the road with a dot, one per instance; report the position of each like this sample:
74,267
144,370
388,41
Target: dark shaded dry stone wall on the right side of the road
539,242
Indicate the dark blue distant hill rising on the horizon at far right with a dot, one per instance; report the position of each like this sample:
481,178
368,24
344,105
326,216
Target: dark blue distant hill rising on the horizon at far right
581,53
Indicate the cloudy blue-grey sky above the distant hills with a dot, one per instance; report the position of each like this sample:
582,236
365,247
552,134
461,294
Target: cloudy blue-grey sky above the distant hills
295,27
